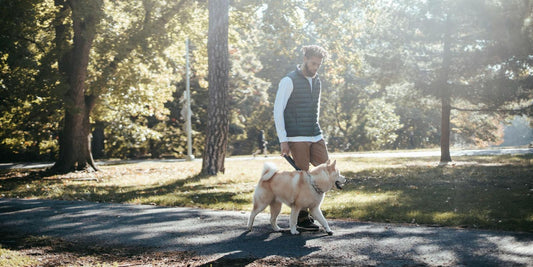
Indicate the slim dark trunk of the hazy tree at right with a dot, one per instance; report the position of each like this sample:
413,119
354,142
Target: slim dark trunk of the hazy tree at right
445,95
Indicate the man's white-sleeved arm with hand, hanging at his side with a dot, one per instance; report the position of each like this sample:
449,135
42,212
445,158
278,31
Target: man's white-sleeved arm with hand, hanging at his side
282,97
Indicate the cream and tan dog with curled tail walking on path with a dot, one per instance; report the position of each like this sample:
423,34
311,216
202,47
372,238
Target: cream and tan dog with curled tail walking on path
296,189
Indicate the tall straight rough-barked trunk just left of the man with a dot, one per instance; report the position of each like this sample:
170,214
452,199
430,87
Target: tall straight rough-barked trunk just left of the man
217,111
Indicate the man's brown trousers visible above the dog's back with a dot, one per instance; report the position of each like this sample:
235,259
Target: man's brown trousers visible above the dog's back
308,152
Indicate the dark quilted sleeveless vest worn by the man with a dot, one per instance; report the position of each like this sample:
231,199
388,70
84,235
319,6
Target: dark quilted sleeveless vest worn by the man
301,112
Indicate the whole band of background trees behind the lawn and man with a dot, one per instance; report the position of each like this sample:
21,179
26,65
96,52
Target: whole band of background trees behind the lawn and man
107,78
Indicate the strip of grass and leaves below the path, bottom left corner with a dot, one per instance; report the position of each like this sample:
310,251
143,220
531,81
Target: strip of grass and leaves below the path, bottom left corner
22,250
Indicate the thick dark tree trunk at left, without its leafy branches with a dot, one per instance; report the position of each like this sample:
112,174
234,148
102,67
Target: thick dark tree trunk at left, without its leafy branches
74,143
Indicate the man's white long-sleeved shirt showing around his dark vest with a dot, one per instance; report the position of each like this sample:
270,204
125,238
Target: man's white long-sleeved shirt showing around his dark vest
282,97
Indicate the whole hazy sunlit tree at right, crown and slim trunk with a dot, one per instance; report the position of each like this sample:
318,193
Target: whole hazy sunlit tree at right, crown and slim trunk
459,53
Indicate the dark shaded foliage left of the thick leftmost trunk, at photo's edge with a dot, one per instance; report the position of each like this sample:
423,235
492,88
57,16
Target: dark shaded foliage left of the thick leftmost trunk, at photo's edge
29,112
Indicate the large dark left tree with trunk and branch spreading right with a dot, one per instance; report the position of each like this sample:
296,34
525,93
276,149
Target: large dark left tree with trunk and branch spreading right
79,98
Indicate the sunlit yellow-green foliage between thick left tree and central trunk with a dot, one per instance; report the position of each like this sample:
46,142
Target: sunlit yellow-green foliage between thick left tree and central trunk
138,66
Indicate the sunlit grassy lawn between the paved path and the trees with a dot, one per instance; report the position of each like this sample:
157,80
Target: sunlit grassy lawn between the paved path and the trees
488,192
